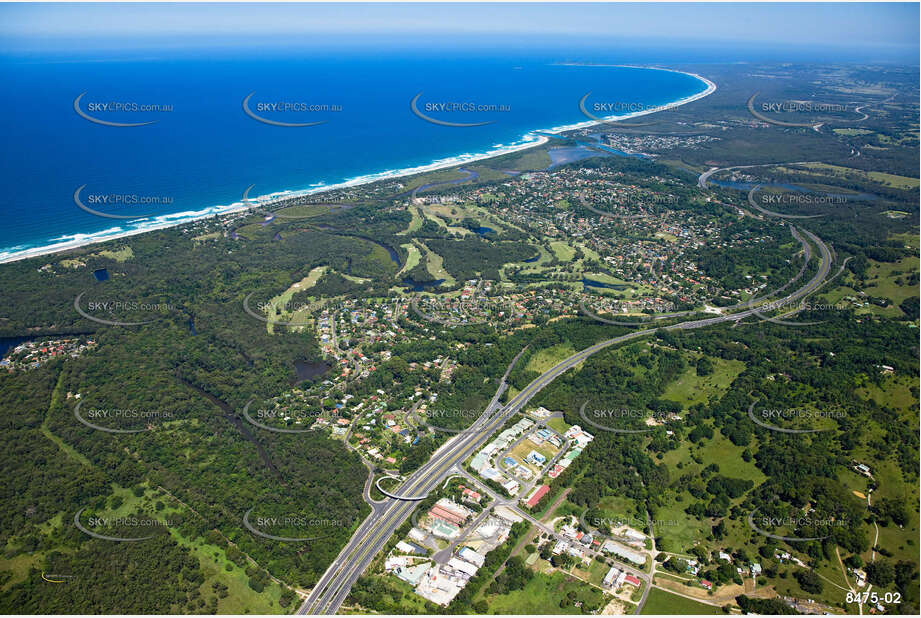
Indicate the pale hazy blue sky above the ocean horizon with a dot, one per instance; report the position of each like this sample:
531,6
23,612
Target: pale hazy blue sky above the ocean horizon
871,25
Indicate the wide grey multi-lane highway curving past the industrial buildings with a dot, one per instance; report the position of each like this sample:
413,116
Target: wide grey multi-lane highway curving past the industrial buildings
372,535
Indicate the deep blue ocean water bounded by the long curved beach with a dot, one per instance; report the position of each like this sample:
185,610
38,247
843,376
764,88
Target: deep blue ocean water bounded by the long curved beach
205,151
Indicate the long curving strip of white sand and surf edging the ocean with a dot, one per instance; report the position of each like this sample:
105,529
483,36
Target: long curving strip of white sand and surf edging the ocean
531,139
